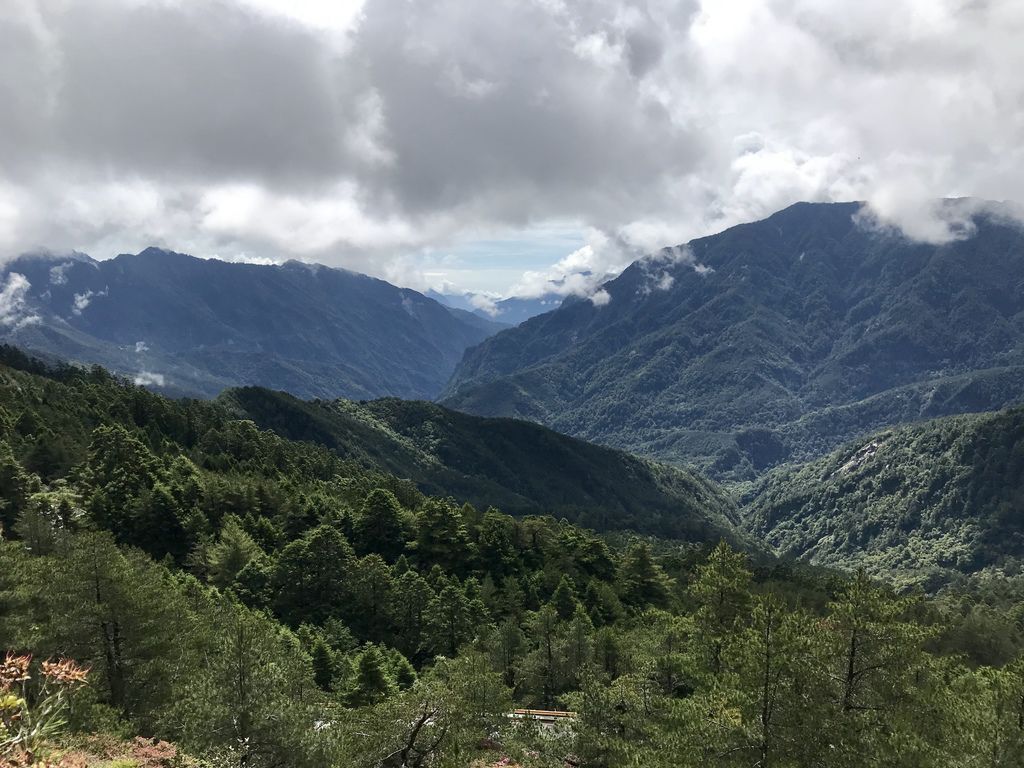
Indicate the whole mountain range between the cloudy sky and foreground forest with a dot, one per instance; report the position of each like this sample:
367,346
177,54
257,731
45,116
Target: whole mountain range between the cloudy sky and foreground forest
799,358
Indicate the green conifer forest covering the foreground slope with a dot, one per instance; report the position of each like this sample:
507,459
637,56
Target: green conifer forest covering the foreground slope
264,603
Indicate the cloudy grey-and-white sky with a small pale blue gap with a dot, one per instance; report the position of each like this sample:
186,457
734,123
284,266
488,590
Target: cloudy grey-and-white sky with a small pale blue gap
507,147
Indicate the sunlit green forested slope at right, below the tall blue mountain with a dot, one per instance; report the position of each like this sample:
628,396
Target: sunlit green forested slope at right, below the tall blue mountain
924,501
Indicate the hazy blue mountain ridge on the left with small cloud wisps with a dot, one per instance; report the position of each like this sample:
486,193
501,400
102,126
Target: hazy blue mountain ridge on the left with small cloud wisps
189,326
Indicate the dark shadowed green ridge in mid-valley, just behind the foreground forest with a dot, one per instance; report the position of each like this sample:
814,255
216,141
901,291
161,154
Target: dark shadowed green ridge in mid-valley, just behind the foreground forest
521,467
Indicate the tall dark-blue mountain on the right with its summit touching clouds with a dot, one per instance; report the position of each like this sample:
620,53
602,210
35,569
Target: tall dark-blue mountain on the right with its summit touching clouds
770,343
